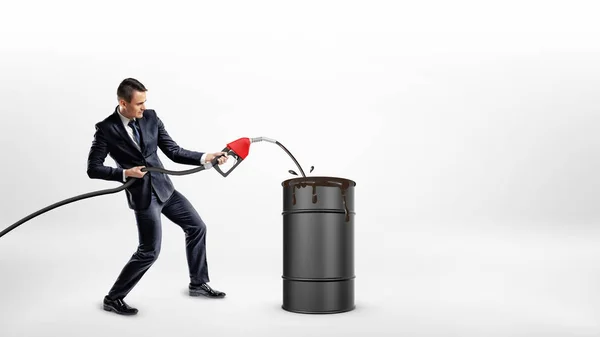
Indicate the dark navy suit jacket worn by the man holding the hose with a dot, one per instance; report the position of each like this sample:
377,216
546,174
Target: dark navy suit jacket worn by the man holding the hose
112,139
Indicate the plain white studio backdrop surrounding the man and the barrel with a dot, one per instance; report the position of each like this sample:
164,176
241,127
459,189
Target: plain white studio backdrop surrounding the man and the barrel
470,128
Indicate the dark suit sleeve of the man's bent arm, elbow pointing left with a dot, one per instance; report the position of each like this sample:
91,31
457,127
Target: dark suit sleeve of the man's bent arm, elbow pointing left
95,164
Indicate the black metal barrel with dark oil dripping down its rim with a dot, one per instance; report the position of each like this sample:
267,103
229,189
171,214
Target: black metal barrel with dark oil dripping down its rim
318,245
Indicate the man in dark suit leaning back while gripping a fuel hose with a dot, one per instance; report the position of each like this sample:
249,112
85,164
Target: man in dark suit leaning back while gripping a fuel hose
132,135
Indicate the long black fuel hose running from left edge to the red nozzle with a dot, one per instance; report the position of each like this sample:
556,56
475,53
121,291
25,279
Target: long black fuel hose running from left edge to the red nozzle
106,191
